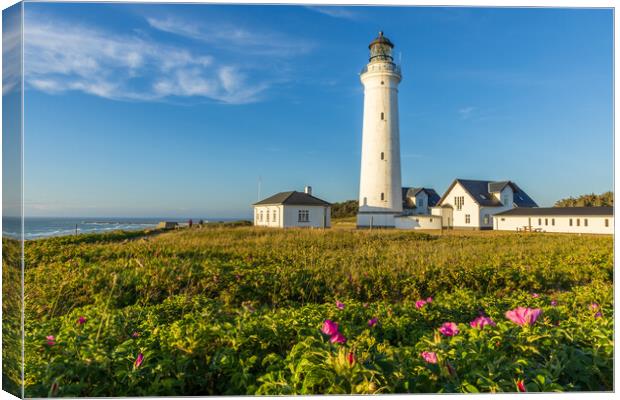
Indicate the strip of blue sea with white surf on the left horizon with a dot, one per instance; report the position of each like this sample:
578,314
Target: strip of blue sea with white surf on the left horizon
41,227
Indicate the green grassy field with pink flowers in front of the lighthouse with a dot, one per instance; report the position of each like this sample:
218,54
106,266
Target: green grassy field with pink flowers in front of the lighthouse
241,310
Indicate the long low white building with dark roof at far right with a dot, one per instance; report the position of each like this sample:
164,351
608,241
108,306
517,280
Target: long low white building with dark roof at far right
557,219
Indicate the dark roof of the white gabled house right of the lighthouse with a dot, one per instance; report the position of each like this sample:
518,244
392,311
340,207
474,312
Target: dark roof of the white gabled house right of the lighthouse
481,191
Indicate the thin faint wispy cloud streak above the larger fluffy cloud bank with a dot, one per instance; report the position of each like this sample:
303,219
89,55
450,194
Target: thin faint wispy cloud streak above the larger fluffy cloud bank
226,36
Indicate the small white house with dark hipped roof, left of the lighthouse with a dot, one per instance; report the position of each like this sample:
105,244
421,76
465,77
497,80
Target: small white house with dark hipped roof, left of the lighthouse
293,209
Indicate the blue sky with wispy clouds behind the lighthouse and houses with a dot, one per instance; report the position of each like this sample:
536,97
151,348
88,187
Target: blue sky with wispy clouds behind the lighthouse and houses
177,110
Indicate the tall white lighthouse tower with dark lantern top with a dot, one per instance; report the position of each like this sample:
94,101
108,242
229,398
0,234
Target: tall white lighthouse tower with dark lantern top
380,182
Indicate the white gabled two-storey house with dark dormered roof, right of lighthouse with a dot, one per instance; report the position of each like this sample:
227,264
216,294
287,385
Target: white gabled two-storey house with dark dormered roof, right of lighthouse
471,204
